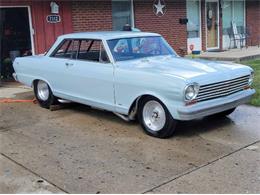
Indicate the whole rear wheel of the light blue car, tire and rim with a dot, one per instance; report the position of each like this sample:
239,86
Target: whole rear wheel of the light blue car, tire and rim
44,94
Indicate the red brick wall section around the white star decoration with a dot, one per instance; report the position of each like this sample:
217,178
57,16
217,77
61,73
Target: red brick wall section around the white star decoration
167,25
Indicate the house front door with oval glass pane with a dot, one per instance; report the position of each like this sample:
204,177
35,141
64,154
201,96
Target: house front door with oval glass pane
212,24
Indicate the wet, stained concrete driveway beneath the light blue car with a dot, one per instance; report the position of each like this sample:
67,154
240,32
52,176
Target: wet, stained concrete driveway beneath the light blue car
81,150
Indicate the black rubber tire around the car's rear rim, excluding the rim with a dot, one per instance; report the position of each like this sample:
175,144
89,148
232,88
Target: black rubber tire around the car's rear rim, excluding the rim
44,103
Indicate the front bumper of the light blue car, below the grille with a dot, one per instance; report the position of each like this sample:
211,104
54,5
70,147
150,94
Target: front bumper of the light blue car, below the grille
207,108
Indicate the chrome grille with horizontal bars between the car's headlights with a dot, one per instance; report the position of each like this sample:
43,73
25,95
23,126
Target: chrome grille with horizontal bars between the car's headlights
221,89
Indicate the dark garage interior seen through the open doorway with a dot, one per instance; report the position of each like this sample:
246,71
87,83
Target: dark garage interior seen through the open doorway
15,39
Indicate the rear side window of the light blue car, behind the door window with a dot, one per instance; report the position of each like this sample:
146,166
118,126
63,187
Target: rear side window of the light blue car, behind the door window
67,49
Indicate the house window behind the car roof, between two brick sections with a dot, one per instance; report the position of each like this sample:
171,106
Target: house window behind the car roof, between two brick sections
121,13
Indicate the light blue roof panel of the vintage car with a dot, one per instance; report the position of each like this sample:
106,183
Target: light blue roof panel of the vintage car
107,35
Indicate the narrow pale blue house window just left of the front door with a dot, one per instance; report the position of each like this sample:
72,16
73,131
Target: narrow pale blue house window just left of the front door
193,15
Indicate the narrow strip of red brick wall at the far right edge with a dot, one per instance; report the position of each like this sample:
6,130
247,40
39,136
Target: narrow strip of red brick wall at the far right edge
253,19
